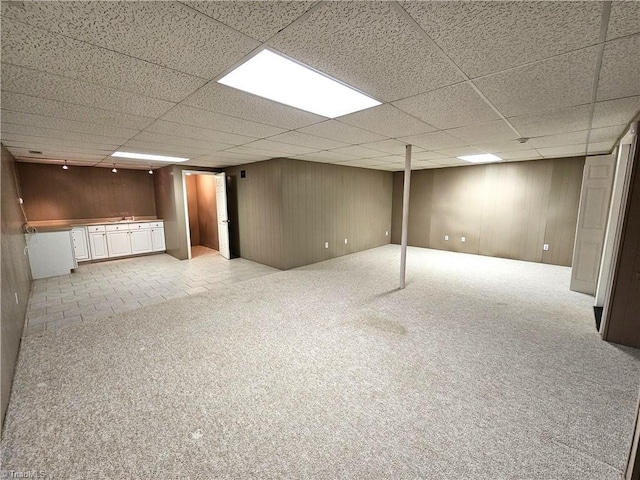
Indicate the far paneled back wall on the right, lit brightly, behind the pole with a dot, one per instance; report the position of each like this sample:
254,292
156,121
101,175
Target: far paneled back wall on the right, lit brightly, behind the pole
504,210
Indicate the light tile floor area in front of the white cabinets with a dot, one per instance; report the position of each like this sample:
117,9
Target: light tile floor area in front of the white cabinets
100,289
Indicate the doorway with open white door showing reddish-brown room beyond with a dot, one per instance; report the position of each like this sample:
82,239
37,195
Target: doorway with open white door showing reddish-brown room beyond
205,213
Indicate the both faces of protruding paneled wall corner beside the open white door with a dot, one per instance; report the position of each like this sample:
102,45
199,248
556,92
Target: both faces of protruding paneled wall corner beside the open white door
288,209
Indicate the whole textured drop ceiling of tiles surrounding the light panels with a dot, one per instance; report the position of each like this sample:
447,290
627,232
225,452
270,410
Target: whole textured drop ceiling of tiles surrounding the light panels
83,79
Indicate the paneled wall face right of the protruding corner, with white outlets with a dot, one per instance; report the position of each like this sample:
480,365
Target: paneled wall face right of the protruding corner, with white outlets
330,203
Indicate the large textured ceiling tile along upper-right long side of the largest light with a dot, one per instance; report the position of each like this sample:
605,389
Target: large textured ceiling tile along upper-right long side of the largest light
369,46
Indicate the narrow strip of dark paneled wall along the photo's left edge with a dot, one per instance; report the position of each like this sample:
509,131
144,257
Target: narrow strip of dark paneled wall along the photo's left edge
16,276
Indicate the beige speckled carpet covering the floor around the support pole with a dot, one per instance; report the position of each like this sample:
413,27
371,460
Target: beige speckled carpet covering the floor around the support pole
481,368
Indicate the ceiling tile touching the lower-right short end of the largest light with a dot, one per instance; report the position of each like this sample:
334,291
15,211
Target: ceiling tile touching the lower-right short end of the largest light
387,120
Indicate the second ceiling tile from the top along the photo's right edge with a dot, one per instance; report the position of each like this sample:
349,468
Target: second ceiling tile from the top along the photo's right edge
620,67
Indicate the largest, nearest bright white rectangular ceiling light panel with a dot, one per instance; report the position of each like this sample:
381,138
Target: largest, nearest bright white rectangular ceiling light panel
277,78
